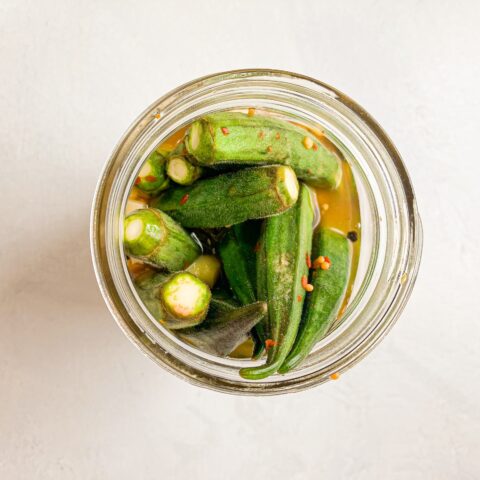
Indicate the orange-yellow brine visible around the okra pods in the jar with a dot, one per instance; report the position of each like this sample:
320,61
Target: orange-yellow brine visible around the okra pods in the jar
340,209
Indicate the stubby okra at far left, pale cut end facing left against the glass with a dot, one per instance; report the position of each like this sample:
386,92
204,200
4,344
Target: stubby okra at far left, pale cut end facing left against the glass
152,236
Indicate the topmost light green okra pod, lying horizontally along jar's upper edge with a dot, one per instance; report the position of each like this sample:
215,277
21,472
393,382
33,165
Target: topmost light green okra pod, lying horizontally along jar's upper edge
236,138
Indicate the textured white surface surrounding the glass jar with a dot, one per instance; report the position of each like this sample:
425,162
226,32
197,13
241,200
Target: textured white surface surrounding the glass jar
77,400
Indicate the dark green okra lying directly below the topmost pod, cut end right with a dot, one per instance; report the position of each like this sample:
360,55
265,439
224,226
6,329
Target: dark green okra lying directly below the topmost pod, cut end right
231,198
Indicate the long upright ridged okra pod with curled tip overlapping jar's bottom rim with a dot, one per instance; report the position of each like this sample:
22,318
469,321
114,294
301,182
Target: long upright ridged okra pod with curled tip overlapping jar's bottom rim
288,241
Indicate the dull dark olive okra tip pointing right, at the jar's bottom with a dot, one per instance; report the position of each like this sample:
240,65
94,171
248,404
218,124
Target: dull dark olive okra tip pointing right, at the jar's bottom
228,332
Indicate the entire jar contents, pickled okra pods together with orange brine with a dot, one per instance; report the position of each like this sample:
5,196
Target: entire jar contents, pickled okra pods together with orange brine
218,233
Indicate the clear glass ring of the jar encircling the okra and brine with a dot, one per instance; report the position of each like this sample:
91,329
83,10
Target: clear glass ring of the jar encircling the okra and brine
389,264
